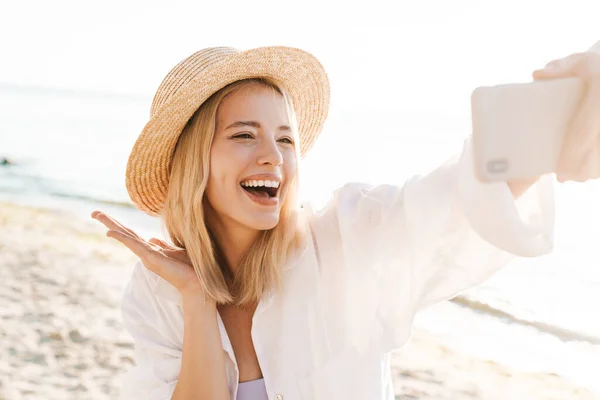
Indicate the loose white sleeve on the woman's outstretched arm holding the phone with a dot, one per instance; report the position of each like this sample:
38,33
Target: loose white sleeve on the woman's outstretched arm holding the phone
406,247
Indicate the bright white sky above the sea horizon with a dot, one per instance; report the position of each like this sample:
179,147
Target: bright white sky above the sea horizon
129,45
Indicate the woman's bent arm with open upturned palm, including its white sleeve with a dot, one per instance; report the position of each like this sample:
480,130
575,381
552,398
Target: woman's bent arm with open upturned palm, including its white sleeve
170,365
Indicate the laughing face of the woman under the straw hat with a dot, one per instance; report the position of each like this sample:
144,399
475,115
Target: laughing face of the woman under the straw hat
252,159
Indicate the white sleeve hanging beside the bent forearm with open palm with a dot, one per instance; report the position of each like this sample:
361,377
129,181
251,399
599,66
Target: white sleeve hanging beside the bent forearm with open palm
157,349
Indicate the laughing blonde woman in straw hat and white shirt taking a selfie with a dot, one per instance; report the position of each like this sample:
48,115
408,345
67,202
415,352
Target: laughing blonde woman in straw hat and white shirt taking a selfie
260,298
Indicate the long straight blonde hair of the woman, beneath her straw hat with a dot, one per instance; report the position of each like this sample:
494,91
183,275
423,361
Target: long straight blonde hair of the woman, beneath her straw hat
184,213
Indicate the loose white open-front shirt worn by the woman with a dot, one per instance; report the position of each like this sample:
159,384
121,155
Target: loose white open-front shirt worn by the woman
378,255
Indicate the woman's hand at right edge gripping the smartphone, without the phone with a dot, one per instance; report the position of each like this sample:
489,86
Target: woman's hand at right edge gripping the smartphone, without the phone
580,157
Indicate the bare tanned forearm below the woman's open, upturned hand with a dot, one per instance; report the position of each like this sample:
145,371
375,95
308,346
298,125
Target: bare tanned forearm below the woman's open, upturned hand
203,374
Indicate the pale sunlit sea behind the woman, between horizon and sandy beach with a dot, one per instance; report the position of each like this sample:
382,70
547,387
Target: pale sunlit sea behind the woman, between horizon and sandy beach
68,150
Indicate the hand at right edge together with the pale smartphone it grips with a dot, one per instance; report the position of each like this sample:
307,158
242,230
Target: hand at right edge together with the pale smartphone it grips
522,131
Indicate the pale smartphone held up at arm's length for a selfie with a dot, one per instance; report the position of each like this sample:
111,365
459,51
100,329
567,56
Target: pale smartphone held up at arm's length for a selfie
519,128
